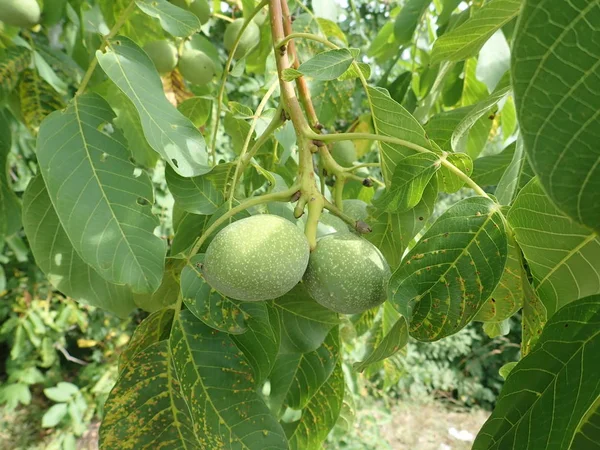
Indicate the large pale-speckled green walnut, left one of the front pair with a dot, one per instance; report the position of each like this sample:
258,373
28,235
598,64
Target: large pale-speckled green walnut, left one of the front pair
258,258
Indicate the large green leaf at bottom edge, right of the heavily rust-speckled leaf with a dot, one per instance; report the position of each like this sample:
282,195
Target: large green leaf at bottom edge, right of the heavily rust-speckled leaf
219,387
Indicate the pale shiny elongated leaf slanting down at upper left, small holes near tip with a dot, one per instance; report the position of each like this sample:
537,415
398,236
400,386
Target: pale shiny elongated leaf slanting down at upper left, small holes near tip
167,131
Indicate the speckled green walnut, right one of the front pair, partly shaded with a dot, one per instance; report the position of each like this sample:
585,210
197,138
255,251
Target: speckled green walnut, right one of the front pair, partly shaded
347,274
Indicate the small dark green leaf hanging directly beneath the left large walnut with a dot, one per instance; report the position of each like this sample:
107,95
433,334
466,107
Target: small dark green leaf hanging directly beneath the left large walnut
260,343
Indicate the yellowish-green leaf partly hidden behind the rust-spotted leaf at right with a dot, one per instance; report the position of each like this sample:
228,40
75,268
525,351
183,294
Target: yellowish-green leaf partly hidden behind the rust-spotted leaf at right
507,298
